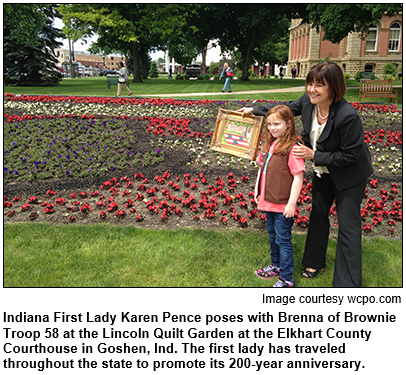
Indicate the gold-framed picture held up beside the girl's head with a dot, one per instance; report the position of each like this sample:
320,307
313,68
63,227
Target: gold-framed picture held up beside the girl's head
236,135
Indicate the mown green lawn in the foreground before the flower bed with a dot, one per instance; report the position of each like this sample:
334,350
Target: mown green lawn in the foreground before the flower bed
45,255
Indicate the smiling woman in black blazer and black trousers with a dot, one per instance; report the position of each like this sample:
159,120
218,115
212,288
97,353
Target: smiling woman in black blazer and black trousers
334,140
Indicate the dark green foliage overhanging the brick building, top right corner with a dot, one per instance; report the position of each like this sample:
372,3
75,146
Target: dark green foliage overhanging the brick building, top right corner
337,20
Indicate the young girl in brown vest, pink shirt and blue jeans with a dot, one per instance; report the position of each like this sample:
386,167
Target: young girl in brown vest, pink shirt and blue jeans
277,189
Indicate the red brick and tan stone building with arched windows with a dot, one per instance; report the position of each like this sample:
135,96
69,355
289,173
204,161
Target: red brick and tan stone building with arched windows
382,44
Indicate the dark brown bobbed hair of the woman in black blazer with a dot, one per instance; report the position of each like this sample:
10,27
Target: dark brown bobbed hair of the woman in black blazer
330,74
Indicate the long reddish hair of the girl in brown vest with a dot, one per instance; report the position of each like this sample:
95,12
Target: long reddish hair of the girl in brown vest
290,136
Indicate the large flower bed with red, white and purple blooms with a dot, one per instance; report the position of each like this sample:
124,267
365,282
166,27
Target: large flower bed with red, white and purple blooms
147,162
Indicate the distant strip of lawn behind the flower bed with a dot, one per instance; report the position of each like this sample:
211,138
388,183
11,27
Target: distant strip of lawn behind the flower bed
97,86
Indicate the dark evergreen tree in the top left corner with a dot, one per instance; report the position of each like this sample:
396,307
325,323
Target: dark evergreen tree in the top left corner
29,58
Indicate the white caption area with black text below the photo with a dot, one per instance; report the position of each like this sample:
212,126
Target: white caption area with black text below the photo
201,331
